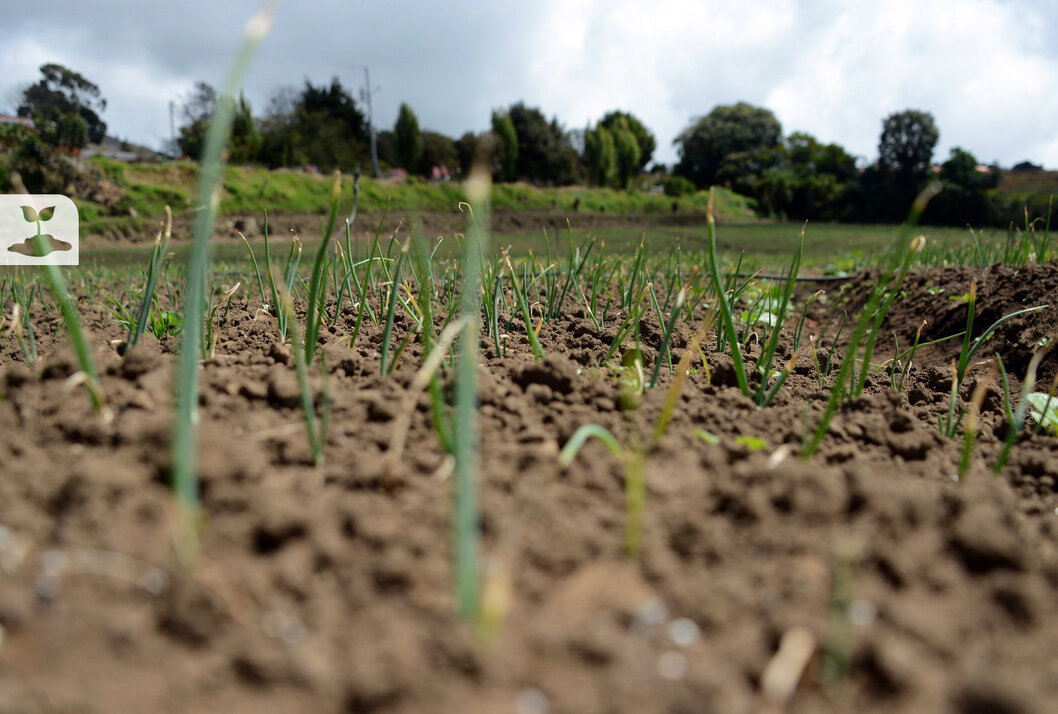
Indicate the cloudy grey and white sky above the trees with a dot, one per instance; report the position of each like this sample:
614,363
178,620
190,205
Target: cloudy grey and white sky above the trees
987,69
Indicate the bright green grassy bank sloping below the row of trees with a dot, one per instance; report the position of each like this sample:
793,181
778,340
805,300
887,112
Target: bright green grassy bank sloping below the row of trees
123,202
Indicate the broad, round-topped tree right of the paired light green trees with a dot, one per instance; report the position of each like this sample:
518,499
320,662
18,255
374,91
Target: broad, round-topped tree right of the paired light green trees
725,131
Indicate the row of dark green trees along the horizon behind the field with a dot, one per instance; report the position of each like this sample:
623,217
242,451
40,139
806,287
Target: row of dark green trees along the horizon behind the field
740,147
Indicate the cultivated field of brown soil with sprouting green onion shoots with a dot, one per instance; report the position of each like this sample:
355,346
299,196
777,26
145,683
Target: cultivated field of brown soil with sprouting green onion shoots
606,473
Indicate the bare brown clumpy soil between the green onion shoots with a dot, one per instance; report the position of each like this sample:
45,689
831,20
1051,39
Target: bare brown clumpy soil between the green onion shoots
868,579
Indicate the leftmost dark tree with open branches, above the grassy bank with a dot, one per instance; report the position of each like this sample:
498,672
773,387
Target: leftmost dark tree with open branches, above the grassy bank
68,104
